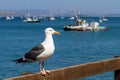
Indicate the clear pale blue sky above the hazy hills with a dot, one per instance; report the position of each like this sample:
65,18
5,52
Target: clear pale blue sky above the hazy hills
85,6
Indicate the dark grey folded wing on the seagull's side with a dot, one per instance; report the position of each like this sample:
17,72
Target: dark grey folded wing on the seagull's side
33,53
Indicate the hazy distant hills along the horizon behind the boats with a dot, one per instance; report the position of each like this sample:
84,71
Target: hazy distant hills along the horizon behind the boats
41,12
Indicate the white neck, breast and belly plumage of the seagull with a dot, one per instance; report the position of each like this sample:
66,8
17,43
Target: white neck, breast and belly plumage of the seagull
48,45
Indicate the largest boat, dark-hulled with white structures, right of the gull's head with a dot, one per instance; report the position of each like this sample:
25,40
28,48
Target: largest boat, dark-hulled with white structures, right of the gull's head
82,25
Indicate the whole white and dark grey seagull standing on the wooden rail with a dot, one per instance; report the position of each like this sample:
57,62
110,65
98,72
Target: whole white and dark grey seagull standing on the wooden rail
41,52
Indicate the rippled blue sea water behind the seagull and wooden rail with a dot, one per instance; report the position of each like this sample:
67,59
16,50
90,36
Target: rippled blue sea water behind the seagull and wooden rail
72,48
